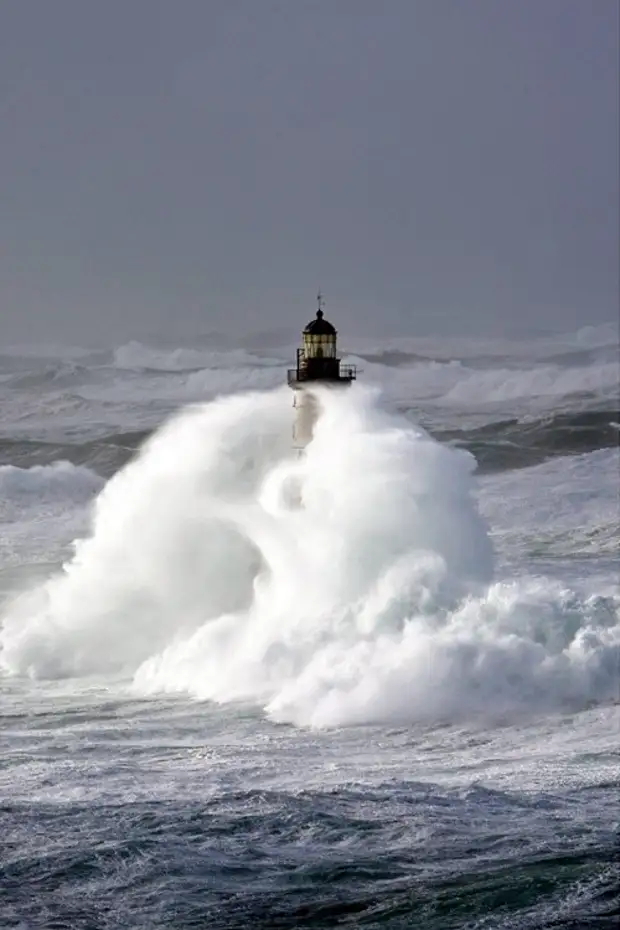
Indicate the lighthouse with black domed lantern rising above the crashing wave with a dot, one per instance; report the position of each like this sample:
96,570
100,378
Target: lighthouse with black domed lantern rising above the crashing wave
318,365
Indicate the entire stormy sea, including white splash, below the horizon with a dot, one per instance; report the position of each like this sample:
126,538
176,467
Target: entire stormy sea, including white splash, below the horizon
374,686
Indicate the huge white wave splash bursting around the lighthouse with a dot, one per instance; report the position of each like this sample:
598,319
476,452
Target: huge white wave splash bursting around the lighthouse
352,584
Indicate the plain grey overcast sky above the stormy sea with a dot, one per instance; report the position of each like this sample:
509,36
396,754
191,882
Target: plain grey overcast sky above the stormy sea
175,166
